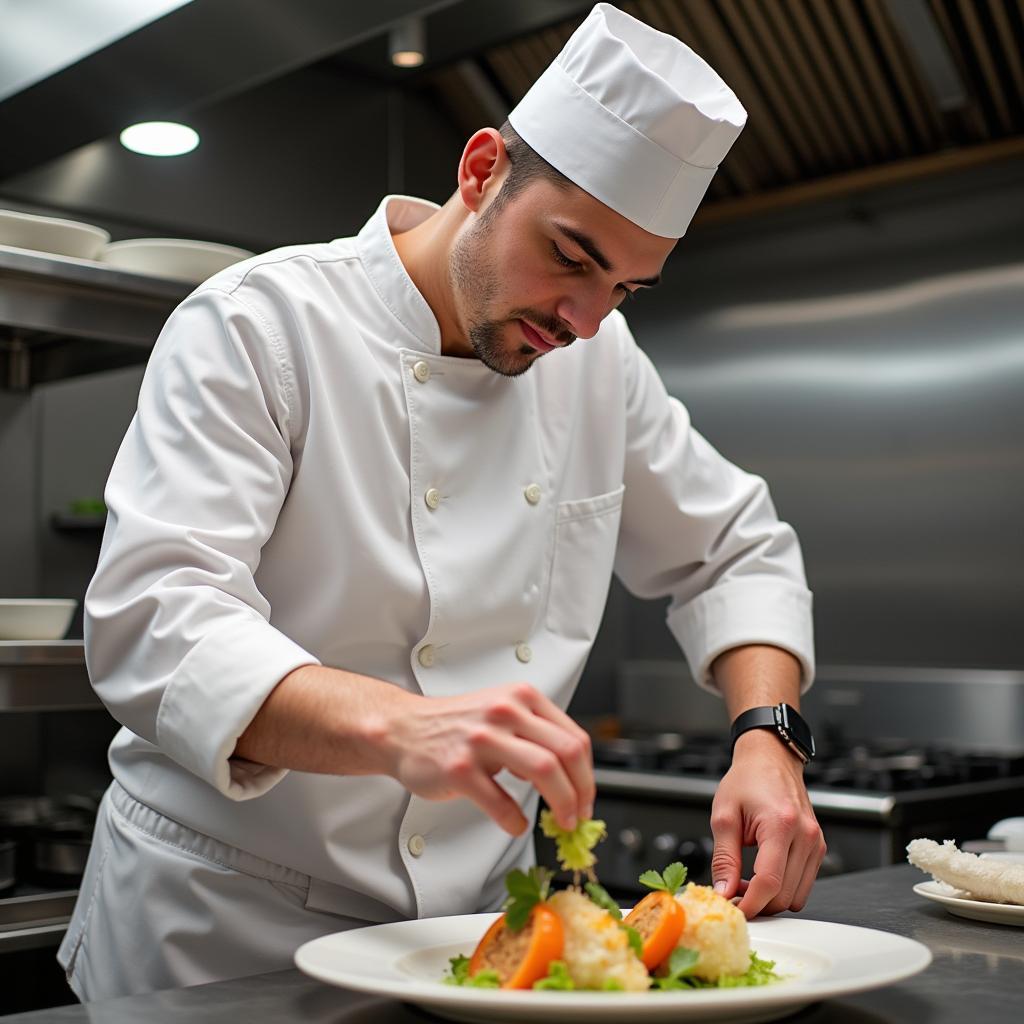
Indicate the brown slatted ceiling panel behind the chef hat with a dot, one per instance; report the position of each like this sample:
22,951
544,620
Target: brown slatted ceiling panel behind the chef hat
831,87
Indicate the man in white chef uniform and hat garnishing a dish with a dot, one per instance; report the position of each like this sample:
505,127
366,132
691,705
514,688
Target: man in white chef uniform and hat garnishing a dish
361,535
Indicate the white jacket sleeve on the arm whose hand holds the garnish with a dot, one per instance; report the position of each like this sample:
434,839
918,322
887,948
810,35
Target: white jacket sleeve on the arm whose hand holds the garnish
179,641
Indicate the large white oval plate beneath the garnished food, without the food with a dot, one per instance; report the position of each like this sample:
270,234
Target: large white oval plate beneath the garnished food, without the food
407,961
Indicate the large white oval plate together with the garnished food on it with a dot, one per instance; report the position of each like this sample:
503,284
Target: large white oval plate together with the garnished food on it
610,968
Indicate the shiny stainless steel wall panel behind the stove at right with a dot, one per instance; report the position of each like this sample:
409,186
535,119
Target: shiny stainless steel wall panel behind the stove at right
867,358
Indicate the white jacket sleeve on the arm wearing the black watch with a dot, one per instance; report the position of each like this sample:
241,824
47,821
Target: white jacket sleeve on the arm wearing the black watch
701,531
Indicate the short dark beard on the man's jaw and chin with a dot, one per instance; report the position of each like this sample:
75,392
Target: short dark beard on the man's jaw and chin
474,279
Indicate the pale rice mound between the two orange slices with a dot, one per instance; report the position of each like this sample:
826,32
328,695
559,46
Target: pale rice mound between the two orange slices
596,949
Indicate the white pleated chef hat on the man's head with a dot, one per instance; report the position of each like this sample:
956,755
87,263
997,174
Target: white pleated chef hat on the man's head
634,117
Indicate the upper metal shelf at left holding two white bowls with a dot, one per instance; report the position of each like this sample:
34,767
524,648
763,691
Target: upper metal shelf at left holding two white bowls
62,317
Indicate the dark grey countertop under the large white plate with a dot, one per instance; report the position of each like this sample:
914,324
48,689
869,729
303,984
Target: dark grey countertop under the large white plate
975,975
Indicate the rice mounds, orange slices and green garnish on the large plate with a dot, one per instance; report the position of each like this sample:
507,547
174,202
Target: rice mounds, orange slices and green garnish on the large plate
577,940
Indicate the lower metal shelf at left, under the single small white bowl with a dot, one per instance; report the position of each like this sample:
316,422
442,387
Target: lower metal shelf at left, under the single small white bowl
46,675
